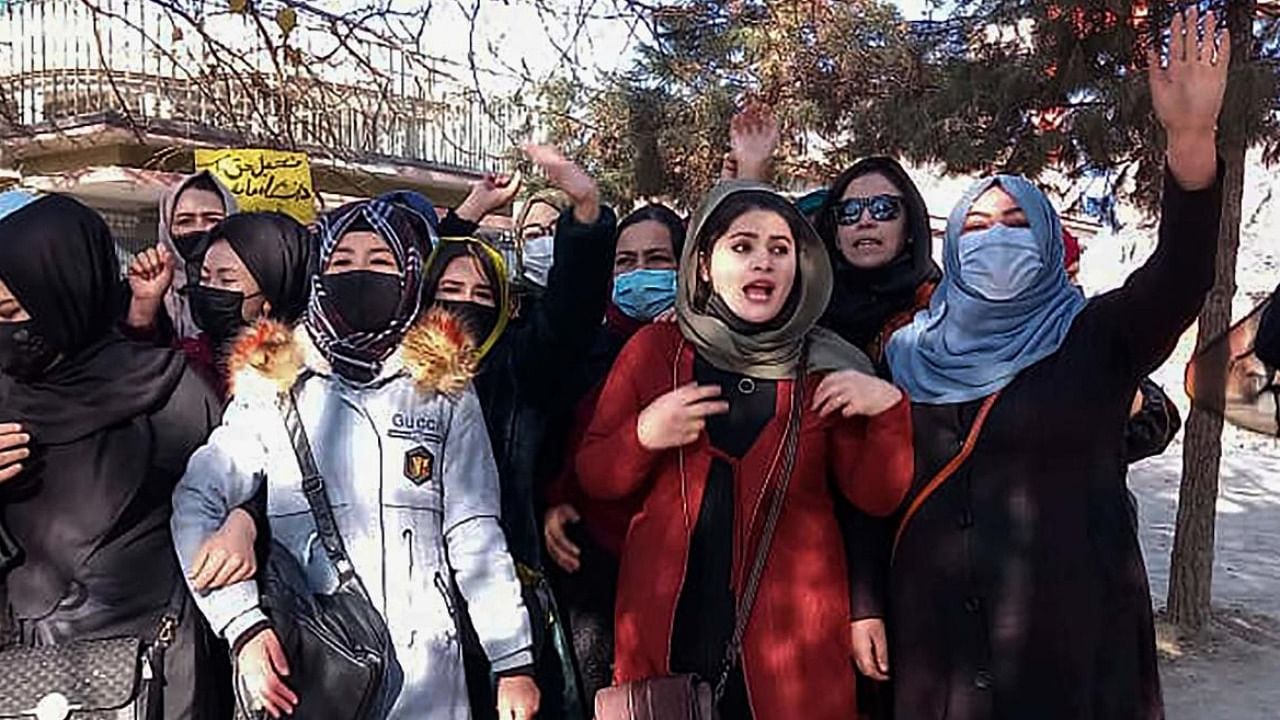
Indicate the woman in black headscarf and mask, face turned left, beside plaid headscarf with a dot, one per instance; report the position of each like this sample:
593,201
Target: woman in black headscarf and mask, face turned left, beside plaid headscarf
255,267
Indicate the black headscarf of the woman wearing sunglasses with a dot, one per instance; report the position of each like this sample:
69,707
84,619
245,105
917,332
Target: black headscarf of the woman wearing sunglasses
862,302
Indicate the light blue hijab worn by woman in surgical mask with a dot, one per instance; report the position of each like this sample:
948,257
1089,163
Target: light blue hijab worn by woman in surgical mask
967,347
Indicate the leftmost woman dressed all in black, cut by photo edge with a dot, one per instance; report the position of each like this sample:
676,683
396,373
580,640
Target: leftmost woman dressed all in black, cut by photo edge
112,425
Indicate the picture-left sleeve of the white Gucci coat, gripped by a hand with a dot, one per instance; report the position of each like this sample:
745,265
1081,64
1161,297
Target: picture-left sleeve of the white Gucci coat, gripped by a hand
221,476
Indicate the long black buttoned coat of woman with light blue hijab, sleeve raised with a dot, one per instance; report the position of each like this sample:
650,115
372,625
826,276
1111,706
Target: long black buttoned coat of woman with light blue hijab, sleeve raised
1020,589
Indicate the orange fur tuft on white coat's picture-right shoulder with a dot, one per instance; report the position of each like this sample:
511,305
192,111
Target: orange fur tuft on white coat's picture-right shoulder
440,354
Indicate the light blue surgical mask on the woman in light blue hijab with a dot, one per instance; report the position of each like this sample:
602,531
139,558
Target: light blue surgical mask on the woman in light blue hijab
1000,263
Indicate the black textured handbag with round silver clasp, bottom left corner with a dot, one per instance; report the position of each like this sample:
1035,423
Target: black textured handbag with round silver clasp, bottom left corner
95,680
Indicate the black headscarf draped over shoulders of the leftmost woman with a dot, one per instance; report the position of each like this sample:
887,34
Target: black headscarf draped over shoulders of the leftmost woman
60,261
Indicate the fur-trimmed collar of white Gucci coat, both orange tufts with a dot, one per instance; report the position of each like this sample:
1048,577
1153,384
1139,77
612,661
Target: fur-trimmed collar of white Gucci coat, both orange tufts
437,354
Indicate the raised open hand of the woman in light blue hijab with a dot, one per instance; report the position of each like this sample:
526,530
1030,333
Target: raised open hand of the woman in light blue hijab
1187,95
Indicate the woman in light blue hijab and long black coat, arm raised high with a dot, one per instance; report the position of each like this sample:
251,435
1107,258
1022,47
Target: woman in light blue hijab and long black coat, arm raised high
1017,584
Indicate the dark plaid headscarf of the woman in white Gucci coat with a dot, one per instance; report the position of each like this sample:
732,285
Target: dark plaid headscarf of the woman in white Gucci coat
360,356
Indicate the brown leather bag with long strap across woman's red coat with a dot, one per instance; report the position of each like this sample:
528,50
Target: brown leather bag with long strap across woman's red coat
688,698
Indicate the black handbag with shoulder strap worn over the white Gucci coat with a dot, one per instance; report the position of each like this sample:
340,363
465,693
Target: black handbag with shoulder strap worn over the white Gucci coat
337,644
